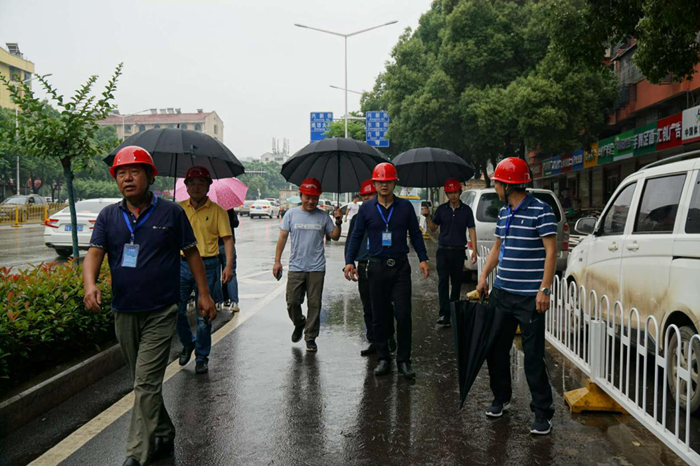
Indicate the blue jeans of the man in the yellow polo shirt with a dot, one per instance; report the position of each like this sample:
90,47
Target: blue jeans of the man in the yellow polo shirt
202,343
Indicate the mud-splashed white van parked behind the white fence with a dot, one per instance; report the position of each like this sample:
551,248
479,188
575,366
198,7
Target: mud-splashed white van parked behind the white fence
644,251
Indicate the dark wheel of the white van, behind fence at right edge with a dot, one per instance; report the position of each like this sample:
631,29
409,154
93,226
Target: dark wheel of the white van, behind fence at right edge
686,333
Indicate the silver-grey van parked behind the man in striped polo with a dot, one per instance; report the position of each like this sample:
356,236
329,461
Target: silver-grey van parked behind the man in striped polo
486,205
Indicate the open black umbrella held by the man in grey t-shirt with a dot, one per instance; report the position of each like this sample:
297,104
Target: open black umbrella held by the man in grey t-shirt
340,164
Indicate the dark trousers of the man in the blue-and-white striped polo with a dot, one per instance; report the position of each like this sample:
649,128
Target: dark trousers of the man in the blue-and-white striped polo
513,310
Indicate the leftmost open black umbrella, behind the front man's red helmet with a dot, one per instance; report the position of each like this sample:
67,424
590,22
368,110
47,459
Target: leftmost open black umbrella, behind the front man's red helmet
174,151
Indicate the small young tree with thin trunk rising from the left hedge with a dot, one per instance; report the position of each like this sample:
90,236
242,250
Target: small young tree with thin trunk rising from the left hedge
68,136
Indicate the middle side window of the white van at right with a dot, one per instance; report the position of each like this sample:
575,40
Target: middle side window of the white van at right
659,206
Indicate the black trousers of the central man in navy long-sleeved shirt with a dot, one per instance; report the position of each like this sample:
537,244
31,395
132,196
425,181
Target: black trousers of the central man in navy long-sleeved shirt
390,295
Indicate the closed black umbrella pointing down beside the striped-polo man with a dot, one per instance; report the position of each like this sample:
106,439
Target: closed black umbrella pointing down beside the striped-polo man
474,333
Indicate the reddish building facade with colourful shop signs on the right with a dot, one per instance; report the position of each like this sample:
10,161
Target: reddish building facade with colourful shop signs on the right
649,122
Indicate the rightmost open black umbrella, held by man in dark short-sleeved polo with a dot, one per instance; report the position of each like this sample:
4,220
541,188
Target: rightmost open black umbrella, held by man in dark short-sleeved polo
429,167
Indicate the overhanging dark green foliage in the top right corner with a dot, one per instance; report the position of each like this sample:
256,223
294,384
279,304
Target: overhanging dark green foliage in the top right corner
666,33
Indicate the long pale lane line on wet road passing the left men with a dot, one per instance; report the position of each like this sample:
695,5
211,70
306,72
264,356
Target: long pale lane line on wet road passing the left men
87,432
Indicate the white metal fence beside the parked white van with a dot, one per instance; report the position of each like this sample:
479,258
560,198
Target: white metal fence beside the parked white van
630,358
